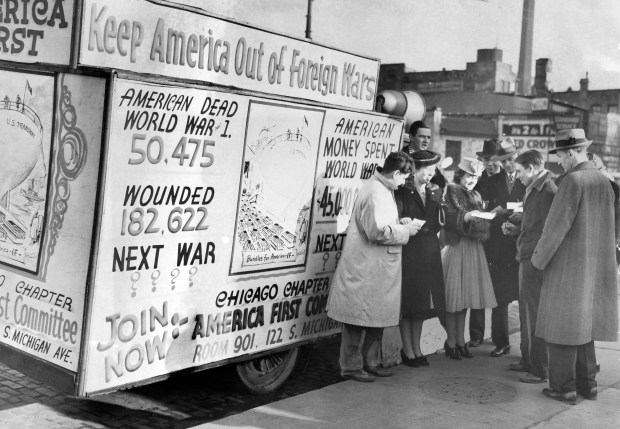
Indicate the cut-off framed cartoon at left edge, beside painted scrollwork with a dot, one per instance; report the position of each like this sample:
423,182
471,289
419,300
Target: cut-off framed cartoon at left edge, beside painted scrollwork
25,142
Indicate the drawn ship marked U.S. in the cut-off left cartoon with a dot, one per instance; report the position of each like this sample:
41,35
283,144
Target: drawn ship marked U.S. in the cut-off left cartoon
21,134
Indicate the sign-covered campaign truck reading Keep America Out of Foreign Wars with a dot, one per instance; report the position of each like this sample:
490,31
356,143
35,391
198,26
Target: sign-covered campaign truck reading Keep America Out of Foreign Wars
175,192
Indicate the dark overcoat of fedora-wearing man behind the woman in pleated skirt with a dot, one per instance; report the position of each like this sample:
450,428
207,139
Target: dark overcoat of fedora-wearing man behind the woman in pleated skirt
500,249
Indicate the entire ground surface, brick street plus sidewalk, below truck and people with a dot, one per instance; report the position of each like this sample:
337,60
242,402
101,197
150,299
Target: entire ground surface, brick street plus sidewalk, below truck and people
477,392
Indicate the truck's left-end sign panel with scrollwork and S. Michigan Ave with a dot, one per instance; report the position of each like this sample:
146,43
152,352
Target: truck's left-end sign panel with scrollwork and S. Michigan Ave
48,175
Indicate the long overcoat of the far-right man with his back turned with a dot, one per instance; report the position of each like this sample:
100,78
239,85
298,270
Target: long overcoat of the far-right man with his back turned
579,297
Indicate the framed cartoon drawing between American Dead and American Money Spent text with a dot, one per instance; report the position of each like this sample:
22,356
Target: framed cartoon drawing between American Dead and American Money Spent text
277,183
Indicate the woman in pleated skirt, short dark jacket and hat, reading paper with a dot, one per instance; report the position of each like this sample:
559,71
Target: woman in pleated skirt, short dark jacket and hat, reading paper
466,272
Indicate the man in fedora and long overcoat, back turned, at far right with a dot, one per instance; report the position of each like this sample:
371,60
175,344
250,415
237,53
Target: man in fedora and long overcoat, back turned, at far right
579,297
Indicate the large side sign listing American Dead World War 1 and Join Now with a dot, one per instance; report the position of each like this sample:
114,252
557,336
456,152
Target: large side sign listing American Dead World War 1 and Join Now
224,216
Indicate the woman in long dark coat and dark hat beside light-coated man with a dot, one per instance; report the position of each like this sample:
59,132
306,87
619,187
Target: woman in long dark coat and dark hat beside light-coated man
423,295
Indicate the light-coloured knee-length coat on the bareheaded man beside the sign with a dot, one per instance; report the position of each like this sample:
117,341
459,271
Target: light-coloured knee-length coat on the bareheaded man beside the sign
366,290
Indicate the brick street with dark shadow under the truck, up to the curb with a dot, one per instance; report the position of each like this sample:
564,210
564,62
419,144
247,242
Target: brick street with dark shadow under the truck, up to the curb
181,402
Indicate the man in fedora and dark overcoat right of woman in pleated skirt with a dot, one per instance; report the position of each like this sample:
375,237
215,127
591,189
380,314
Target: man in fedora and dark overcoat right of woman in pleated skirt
501,250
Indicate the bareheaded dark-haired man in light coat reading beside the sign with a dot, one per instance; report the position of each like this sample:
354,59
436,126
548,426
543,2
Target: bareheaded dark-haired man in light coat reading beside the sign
366,291
